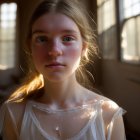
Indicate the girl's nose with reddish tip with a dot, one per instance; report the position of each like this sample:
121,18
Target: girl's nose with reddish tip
55,49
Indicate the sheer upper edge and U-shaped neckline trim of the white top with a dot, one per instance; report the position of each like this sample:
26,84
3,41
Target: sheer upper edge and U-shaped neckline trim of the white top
78,134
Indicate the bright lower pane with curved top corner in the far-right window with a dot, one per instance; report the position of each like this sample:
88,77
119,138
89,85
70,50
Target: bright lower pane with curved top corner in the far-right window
131,40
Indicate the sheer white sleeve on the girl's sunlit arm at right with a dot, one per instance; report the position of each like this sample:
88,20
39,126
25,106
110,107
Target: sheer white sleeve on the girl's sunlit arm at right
116,121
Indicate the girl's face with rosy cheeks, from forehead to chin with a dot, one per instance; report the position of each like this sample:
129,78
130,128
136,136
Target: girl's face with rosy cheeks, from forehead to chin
56,46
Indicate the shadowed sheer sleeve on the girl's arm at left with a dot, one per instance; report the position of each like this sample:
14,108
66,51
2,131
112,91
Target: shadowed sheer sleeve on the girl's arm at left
8,127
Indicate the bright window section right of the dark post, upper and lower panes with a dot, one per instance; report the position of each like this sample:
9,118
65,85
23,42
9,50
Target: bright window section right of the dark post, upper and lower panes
130,34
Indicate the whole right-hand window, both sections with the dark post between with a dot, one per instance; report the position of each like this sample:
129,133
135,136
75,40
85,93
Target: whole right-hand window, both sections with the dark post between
119,29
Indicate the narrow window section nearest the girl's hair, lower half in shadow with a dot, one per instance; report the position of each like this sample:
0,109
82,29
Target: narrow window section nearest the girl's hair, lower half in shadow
106,28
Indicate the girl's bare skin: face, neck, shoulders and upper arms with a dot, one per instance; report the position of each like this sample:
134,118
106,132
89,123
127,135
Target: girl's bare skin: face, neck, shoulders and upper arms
56,38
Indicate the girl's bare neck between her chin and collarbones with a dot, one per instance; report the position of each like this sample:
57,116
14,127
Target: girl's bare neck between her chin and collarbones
61,92
